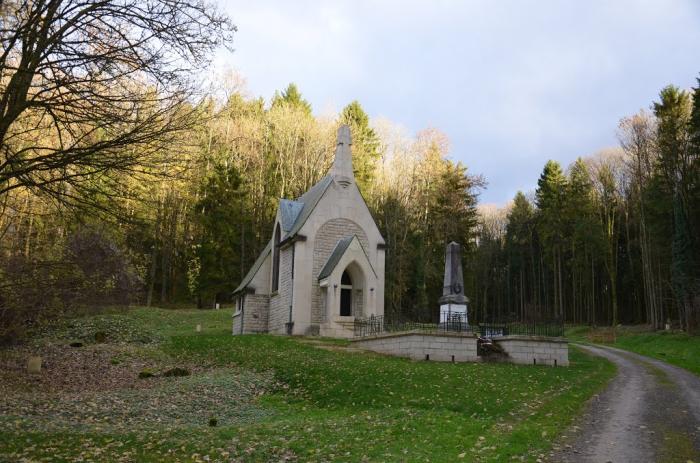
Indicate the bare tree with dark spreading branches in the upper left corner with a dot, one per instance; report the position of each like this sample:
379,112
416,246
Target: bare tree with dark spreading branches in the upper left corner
91,90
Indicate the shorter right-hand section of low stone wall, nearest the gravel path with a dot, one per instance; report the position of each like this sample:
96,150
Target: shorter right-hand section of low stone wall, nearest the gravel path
535,350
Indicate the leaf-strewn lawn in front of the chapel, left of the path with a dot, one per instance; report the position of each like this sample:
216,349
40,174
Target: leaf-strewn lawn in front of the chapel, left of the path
270,398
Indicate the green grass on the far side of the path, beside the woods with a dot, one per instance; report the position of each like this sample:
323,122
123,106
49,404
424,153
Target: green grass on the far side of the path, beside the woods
679,349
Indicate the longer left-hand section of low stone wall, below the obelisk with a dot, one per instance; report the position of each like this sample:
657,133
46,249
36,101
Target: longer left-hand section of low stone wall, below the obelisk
445,347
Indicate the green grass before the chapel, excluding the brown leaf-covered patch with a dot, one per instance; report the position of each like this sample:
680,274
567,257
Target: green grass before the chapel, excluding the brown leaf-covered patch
342,406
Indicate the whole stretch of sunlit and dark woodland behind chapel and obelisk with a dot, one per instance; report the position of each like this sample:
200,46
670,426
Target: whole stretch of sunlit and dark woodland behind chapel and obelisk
123,181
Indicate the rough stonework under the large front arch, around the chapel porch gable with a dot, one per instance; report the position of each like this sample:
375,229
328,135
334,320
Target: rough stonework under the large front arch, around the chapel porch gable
326,238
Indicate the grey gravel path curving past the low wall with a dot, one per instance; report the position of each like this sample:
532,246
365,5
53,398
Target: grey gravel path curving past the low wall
650,412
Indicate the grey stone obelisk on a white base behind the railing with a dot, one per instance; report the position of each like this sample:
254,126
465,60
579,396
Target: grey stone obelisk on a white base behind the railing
453,303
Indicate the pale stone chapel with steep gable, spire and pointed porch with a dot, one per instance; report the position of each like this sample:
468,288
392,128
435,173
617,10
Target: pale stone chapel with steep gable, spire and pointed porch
324,264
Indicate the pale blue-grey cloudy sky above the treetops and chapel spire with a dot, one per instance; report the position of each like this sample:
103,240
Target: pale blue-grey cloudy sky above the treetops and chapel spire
512,83
